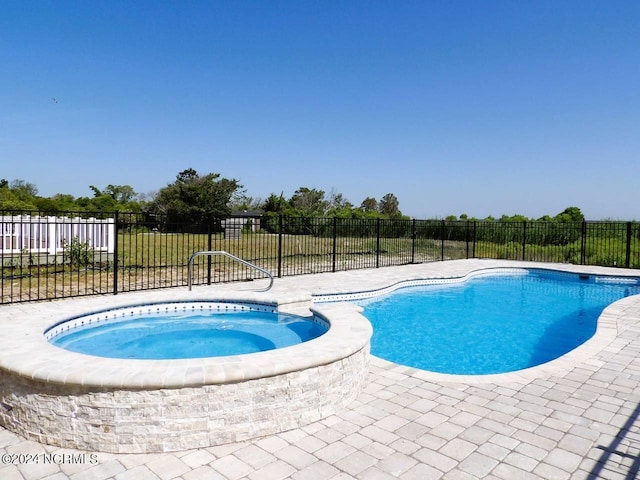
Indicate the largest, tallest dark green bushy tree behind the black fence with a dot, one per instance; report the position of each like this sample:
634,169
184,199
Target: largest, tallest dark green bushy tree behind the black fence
195,198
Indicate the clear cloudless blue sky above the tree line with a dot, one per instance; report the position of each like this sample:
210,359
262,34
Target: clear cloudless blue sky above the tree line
477,107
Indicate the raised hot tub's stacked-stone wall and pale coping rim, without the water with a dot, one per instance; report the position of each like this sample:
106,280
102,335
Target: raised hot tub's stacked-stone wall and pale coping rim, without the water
119,405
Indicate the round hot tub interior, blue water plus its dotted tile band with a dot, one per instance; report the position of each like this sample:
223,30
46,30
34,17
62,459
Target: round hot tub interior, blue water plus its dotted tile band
184,330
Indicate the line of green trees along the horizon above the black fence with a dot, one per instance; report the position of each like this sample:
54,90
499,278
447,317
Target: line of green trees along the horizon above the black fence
201,198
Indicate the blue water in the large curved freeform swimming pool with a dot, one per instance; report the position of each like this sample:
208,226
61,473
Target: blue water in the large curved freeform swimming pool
491,324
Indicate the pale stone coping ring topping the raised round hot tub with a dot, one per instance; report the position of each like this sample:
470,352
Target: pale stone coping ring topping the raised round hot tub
27,353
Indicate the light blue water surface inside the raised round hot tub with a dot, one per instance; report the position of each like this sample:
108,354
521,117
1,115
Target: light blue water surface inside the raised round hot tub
190,335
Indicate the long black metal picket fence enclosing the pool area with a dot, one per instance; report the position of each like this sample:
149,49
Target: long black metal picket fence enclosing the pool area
48,257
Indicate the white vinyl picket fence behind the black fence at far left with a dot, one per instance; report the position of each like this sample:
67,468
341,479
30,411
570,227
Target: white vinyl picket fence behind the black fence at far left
48,235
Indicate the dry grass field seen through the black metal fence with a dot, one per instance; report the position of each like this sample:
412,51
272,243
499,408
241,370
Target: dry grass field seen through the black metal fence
158,260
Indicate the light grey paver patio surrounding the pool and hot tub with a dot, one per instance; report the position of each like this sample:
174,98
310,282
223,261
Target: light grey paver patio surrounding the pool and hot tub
577,418
